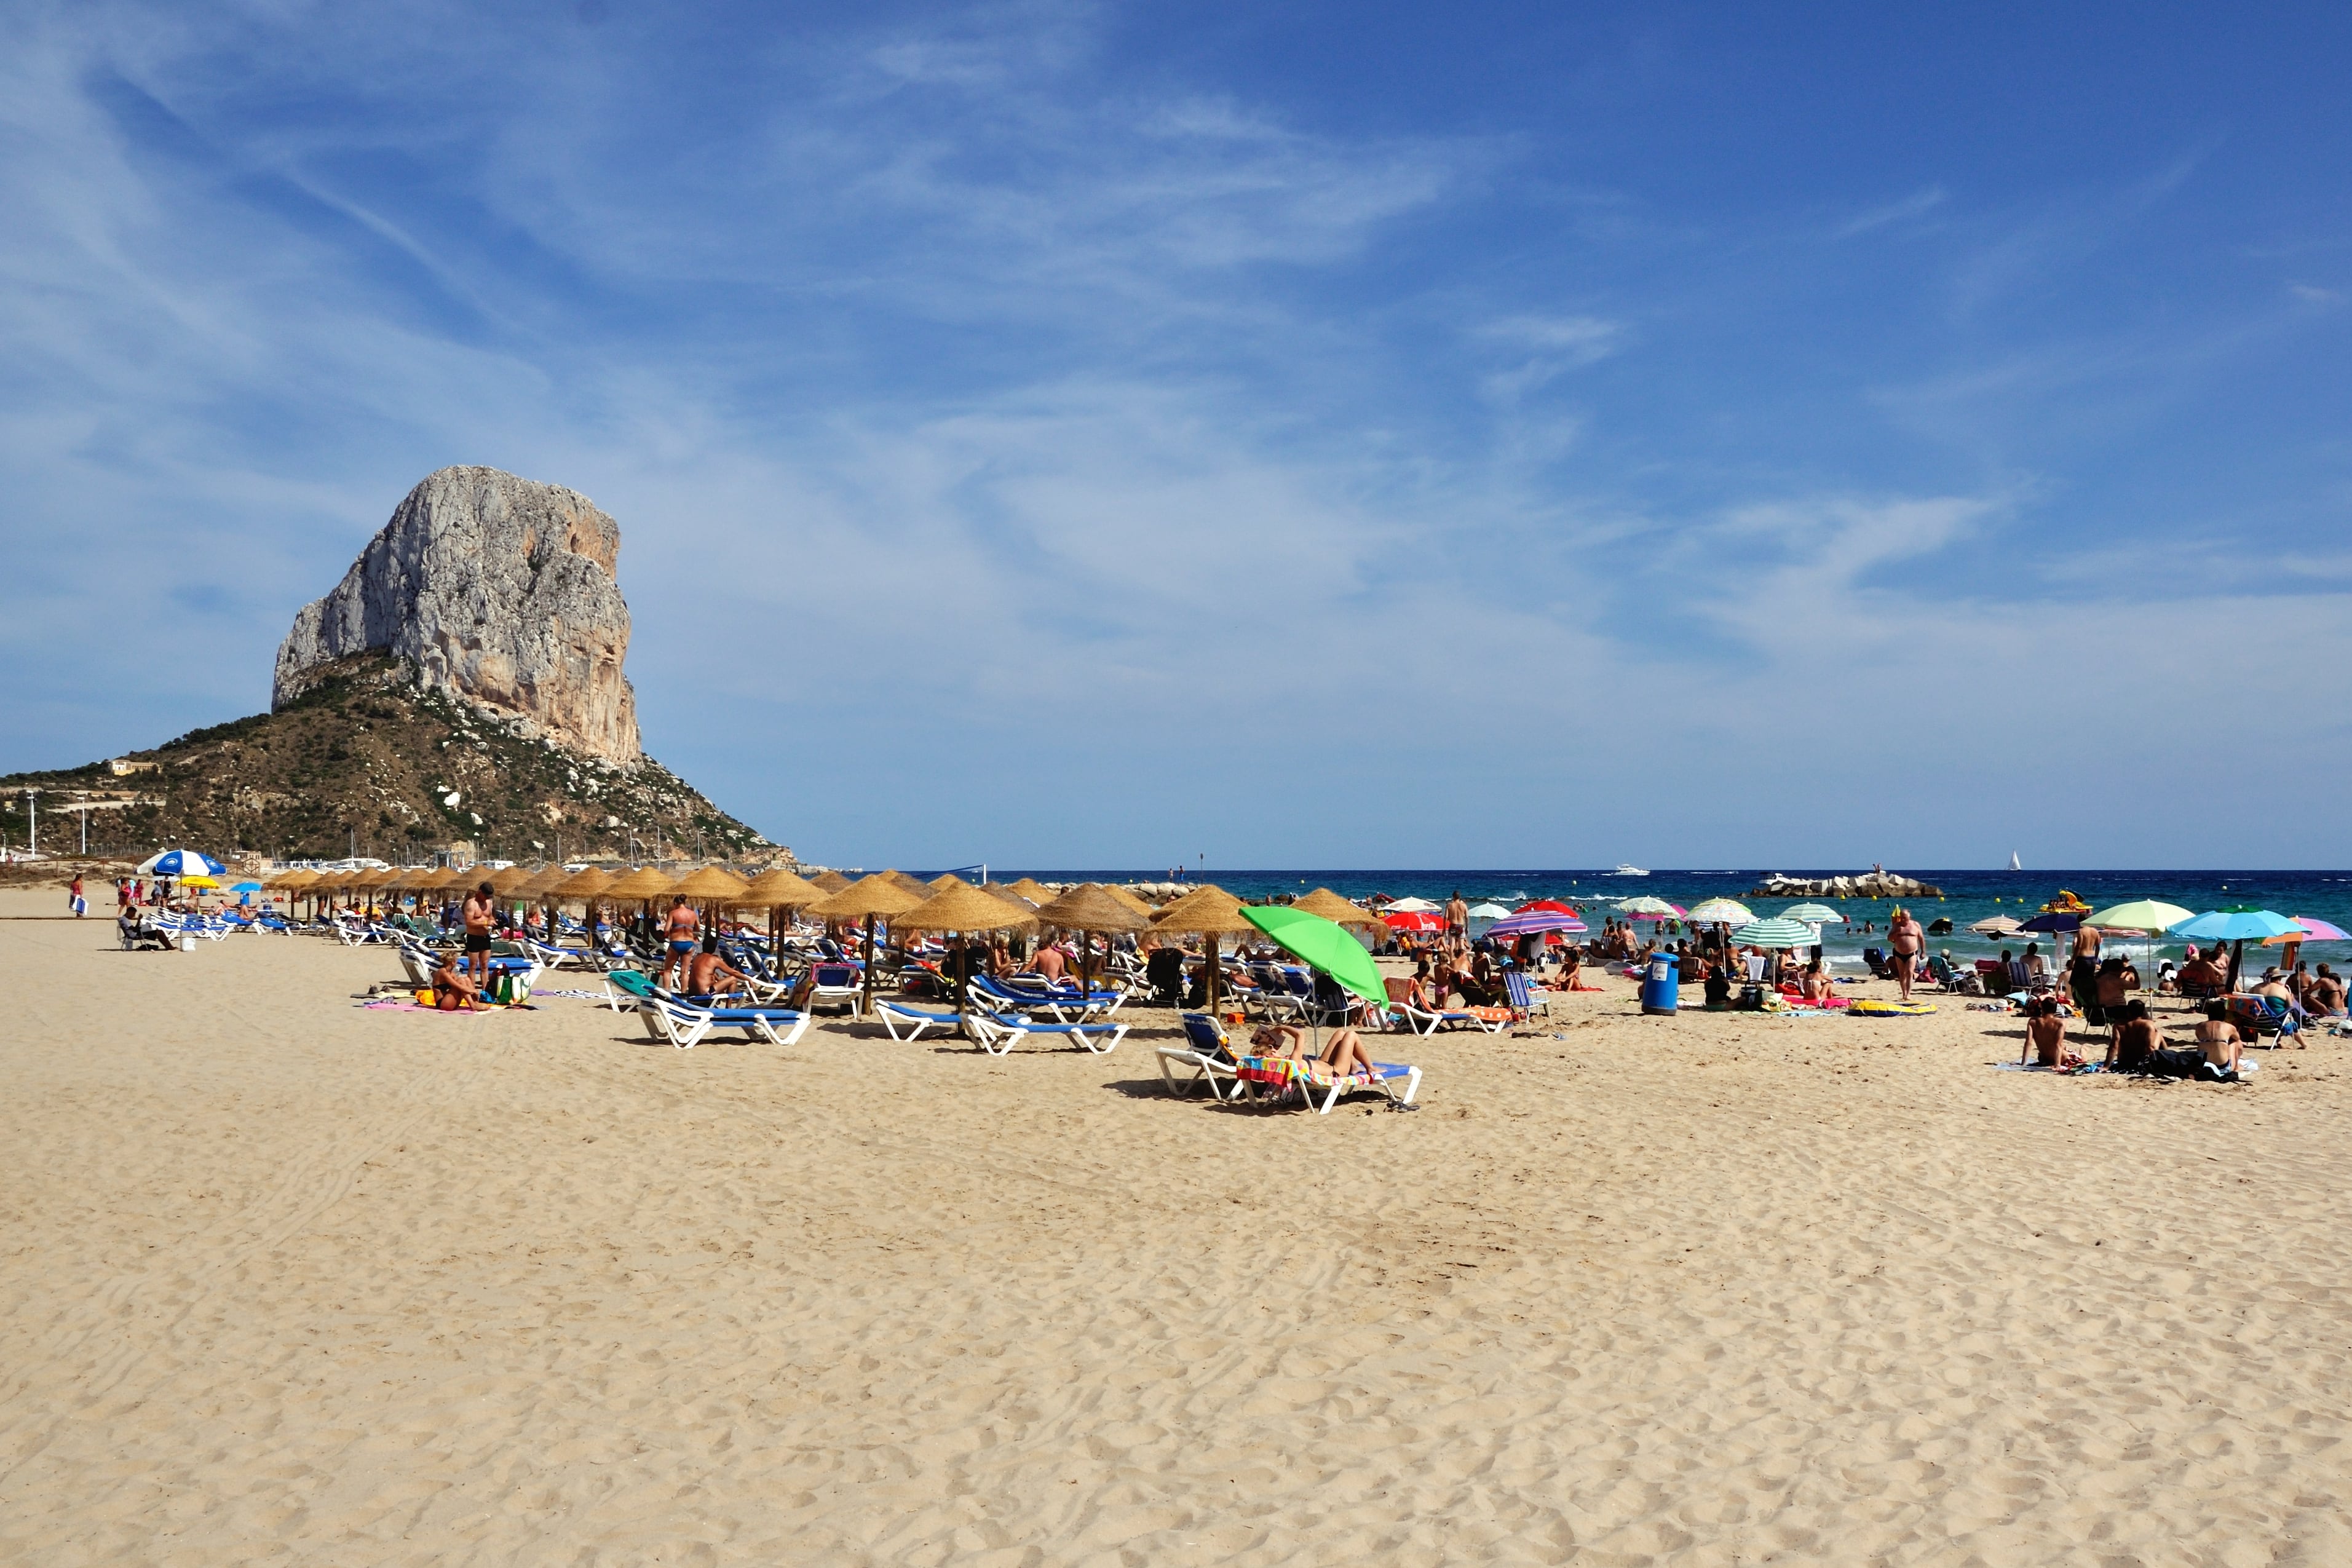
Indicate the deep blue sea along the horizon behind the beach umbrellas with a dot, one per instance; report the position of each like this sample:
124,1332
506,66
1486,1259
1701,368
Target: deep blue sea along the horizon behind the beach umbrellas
1970,897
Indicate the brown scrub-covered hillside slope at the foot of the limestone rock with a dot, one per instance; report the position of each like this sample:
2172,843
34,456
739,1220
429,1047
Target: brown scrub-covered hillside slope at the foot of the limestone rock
368,763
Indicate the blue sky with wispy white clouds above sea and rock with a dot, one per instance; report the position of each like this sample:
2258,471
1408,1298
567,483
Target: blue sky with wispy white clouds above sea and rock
1344,436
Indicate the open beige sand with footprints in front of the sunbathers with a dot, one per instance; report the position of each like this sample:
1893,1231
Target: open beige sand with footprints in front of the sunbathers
293,1282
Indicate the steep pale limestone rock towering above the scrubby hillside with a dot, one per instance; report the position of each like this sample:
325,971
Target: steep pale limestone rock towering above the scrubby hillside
497,591
